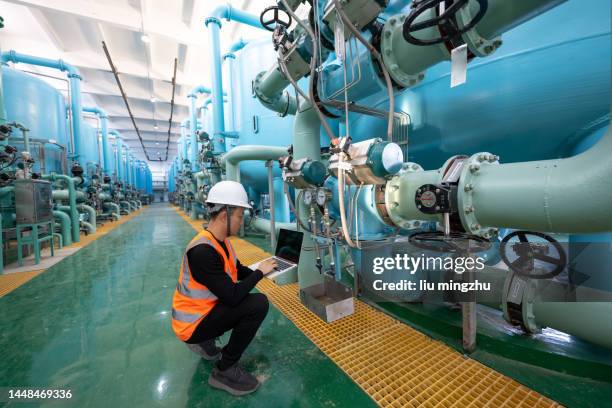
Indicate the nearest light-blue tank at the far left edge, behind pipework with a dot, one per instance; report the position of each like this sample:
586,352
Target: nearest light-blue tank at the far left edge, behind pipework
25,95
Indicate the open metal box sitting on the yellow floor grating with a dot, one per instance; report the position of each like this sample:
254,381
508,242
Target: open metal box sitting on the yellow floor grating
330,300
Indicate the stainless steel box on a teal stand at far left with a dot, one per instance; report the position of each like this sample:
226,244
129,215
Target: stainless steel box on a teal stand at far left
33,201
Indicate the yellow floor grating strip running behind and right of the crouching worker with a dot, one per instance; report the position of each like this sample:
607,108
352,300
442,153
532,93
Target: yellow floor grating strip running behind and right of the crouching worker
395,364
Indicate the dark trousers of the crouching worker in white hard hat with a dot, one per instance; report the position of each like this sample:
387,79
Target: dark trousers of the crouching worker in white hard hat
243,319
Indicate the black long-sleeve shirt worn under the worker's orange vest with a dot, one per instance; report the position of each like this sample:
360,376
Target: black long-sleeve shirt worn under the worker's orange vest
206,267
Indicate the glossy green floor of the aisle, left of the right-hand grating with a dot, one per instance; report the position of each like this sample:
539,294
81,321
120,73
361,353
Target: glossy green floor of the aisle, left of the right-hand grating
97,323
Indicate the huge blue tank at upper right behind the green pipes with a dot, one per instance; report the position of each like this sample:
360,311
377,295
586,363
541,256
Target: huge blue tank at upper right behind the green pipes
536,98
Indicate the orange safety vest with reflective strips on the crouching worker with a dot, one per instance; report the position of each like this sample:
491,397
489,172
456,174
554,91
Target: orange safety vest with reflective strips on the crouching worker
193,301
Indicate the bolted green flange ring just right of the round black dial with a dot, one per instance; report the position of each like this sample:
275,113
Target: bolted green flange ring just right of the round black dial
466,191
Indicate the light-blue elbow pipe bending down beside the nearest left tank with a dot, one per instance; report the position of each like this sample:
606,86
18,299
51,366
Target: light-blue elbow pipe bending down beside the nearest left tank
74,78
